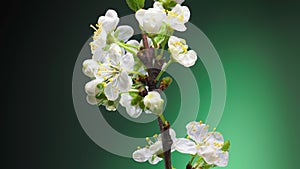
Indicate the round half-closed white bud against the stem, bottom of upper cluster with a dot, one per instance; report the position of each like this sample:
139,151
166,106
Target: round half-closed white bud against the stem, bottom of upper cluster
154,102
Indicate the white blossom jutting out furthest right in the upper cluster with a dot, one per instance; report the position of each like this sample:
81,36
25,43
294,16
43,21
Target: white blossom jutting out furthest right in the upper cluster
180,53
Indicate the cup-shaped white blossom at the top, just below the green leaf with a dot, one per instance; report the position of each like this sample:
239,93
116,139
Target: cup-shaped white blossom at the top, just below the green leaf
150,19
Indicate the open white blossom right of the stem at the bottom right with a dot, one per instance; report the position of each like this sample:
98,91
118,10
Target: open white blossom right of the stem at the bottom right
203,143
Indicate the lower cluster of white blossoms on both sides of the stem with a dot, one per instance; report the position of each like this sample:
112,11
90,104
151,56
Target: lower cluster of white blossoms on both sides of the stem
208,147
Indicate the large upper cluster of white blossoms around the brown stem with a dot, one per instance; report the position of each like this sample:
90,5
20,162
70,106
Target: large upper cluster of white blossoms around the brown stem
114,68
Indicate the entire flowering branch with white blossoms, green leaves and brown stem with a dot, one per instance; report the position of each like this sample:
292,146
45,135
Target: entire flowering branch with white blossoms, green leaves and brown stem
127,72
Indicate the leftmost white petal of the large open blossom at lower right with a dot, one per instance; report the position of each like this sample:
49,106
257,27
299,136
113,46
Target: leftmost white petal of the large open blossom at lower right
185,146
